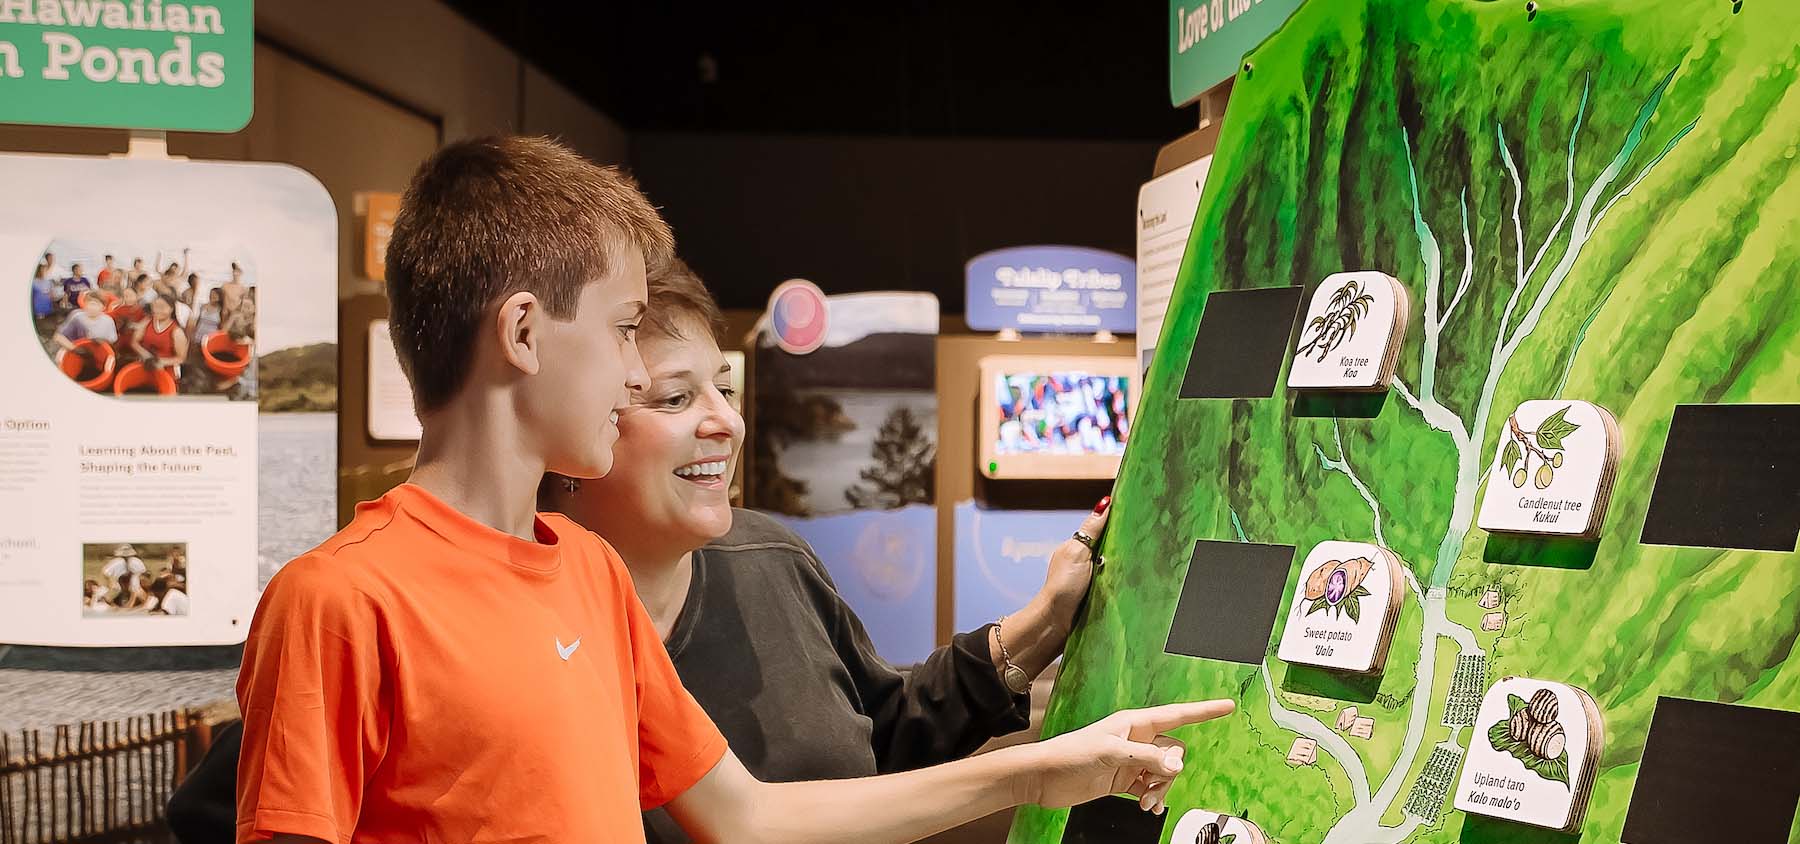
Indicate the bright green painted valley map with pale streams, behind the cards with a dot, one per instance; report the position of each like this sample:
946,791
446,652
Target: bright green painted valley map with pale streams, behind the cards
1587,201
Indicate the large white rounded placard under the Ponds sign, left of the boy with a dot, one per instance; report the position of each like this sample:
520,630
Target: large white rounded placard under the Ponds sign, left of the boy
170,417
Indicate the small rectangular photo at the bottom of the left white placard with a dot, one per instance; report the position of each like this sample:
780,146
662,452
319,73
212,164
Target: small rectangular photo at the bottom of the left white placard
134,579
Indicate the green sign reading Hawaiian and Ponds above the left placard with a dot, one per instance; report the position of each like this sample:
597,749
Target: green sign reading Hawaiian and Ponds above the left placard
127,64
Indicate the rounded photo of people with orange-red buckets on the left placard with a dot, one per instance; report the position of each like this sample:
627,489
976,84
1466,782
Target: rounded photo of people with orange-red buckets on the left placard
170,325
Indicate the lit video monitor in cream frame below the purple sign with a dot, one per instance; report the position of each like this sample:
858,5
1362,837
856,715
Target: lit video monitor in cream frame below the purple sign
1056,417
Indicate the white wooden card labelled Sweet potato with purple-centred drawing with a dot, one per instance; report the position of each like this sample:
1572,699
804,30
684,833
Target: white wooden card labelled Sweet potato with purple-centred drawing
1345,609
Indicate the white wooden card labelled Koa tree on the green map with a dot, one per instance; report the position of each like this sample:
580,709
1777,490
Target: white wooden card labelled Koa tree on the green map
1353,334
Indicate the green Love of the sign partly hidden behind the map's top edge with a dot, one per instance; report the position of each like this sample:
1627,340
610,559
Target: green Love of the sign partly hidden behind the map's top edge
1207,39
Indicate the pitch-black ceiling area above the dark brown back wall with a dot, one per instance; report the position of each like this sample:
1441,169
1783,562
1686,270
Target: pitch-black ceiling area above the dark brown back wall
960,69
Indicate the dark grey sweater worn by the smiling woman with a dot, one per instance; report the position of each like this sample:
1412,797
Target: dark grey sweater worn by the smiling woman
786,670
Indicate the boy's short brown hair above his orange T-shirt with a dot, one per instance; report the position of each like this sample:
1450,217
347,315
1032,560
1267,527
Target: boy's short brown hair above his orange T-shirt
492,217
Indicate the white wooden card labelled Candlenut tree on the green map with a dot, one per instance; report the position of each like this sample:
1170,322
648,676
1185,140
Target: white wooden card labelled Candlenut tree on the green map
1552,471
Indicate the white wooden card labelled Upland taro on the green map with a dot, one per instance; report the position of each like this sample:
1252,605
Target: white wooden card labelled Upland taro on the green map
1534,755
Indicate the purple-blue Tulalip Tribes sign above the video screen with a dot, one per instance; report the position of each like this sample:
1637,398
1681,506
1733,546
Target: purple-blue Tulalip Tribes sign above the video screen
1063,291
